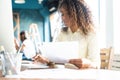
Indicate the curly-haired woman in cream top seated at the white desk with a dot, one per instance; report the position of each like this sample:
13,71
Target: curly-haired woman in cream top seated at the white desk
79,27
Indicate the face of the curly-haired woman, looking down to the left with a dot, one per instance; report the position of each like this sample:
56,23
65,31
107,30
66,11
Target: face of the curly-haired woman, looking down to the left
65,17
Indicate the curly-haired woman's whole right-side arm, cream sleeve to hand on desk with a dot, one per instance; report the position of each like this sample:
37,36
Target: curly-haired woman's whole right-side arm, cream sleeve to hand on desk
92,59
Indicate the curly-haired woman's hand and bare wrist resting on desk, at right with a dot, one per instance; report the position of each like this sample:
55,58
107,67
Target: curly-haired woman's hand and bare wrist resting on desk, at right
81,63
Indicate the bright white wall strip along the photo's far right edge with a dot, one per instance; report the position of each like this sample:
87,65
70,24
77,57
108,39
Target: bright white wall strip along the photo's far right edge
116,14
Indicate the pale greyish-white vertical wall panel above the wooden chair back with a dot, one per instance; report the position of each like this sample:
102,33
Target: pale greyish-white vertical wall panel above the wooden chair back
109,23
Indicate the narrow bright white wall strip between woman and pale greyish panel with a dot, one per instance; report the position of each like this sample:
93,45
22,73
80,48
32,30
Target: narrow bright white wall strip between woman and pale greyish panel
102,28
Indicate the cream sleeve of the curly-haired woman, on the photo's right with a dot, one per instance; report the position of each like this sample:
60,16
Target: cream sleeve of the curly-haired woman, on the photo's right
94,50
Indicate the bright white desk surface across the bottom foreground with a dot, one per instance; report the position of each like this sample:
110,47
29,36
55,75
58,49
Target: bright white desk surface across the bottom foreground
63,74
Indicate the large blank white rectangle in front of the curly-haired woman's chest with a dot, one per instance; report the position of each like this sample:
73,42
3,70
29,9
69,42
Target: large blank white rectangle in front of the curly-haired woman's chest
60,52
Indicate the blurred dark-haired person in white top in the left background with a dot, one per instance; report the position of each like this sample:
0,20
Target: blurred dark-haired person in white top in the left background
27,46
